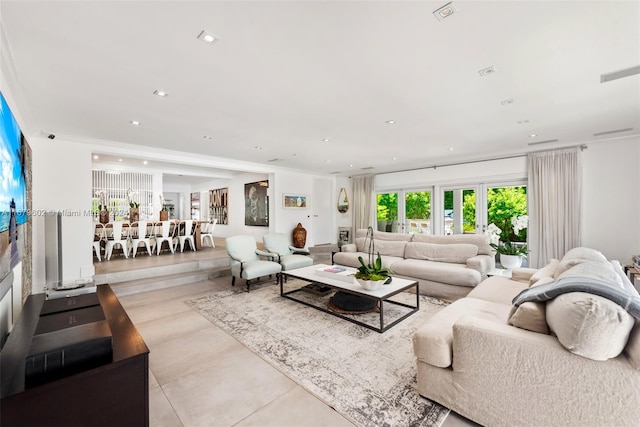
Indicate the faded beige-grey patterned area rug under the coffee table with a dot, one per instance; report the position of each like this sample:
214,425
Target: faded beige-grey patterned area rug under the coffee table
368,377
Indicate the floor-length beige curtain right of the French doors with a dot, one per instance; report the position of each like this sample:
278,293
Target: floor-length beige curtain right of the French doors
555,204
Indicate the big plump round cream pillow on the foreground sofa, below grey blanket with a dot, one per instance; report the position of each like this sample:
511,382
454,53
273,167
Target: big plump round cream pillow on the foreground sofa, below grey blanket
589,325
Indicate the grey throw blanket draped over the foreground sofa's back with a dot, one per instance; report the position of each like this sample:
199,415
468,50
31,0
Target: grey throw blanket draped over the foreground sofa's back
620,296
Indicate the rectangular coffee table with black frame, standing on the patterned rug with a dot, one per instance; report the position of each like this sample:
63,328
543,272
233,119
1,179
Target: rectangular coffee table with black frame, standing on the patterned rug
318,289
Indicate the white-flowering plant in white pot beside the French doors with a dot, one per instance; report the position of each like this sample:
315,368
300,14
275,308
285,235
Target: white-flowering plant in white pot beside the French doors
504,241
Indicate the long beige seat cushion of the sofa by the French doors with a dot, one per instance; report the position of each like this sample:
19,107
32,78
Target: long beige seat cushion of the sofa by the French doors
443,272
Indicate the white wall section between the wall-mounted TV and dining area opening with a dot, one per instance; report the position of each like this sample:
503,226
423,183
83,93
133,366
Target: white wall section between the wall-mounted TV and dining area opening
62,182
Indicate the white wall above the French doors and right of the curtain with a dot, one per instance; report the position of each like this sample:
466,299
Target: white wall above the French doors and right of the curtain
611,191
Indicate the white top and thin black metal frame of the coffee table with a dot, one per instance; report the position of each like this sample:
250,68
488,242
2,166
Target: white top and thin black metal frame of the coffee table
381,295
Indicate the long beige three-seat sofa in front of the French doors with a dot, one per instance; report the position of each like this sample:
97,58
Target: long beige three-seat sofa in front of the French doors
447,267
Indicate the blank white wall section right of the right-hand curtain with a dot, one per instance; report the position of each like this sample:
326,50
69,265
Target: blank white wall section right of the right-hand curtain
611,214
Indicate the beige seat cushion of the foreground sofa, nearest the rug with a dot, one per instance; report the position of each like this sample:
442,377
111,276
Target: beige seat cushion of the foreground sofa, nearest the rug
432,342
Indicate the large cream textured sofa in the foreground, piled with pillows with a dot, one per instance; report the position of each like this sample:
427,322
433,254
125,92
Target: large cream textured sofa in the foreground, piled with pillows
571,361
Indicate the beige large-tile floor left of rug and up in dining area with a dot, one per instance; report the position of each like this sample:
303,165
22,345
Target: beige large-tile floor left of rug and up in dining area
201,376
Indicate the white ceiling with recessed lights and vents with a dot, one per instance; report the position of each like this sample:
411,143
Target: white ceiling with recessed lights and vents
286,75
